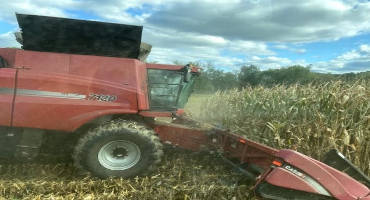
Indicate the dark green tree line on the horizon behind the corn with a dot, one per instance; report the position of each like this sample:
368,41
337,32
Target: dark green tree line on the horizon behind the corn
213,79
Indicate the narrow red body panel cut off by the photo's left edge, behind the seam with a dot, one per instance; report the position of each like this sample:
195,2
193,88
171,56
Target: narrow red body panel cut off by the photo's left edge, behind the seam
7,85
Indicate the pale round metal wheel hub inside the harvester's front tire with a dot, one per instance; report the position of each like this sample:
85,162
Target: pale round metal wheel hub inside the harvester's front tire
119,155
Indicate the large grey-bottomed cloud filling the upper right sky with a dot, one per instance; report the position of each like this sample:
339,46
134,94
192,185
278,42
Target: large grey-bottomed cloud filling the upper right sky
267,20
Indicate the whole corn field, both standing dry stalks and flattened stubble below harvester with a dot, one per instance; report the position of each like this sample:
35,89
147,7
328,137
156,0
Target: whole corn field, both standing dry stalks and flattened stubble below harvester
311,119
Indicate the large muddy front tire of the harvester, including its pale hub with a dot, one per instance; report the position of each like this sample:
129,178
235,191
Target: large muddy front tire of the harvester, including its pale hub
119,148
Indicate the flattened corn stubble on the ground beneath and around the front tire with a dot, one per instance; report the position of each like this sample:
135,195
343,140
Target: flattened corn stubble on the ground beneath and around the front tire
183,175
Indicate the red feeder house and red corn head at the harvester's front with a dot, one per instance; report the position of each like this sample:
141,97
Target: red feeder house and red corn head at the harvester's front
338,184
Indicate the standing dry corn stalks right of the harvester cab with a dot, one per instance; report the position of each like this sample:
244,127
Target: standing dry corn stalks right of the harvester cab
311,119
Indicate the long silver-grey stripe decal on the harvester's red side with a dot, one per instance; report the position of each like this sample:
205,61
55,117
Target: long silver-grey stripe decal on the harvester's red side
39,93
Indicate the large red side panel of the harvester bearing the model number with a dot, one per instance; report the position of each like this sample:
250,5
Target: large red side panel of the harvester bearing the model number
48,101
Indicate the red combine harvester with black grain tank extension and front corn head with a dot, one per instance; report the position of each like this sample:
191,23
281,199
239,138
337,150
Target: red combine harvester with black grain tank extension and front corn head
85,80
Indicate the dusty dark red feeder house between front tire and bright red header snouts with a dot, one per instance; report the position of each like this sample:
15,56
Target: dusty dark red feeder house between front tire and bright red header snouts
195,139
